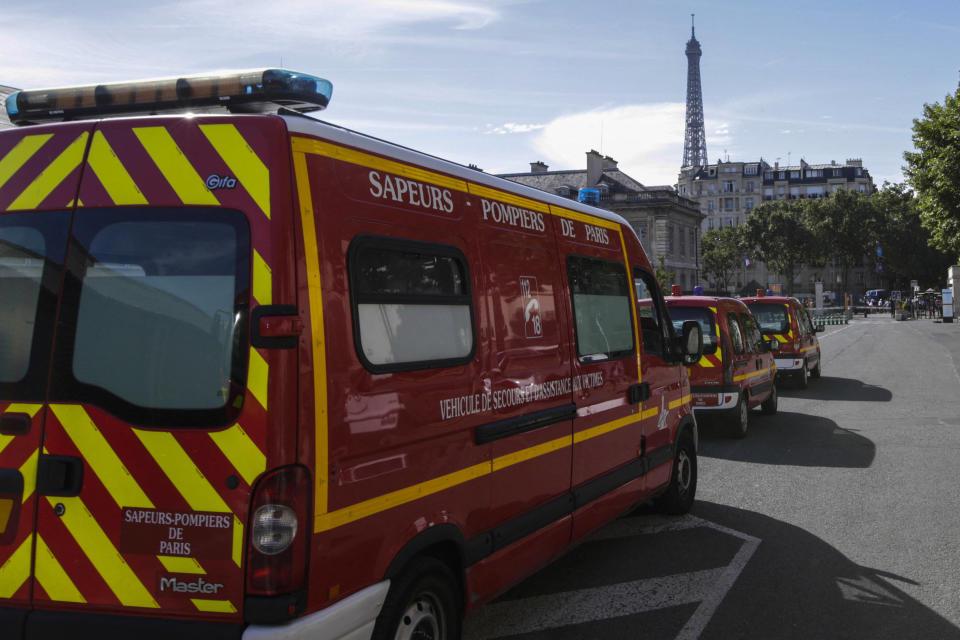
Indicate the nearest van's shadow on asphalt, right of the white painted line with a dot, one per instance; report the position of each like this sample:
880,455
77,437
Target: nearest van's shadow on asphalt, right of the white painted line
798,586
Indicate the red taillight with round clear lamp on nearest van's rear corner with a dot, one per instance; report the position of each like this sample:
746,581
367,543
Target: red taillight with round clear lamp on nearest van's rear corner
279,531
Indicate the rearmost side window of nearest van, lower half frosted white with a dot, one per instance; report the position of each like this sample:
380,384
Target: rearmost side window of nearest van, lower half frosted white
412,306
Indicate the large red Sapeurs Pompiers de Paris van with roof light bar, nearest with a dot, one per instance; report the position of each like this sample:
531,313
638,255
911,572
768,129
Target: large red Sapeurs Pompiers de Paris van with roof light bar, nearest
265,377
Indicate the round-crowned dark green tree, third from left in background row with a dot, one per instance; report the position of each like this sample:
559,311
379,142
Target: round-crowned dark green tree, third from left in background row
845,227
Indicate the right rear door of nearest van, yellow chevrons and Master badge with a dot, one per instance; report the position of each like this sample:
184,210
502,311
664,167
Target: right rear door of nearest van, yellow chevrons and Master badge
156,414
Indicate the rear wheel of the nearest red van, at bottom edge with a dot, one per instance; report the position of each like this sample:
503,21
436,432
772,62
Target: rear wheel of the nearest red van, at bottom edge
423,603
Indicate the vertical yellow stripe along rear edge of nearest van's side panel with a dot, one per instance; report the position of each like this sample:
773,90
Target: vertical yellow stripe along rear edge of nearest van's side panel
317,337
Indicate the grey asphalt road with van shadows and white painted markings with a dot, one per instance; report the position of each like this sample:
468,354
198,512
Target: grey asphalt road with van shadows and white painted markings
837,518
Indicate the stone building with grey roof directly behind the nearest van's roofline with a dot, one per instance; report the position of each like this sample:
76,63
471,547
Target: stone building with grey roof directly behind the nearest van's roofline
668,224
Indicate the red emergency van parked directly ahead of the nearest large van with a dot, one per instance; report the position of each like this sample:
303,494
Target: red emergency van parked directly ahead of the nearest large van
736,370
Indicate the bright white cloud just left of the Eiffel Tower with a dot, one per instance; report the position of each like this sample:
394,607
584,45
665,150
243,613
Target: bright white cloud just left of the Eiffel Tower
646,140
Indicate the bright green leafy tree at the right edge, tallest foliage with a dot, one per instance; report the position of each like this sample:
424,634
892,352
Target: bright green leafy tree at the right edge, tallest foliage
934,171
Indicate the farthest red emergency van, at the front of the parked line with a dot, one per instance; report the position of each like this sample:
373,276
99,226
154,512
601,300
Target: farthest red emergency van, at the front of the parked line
787,321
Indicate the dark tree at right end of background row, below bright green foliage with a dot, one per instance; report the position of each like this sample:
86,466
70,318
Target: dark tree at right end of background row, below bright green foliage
907,250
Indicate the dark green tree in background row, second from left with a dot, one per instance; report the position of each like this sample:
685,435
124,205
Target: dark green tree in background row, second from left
779,233
